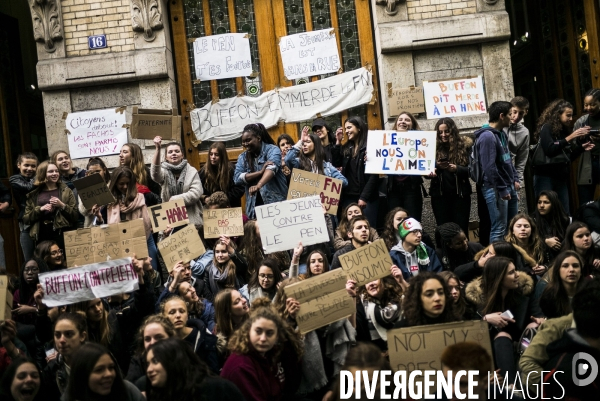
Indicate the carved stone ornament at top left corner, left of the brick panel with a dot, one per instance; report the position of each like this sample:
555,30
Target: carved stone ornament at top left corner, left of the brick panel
46,23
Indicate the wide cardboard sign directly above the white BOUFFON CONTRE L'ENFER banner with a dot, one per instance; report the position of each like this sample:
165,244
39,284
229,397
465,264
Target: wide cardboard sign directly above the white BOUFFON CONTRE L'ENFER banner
107,242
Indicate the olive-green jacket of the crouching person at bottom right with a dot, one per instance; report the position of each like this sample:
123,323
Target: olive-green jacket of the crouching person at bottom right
535,356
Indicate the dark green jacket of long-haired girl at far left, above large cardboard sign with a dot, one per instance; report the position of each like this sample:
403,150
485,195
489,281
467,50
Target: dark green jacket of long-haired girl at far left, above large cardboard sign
68,217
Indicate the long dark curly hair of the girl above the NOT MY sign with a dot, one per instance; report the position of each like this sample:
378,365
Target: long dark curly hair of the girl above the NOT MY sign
412,306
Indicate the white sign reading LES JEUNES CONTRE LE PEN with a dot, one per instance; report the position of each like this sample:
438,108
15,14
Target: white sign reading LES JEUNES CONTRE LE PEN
284,224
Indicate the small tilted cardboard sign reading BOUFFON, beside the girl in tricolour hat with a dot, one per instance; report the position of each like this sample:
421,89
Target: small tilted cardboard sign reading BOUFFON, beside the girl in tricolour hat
368,263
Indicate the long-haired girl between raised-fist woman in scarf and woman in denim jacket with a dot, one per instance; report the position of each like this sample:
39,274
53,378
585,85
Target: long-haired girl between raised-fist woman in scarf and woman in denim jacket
217,176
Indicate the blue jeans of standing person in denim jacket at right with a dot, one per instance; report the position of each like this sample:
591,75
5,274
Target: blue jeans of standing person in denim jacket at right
501,211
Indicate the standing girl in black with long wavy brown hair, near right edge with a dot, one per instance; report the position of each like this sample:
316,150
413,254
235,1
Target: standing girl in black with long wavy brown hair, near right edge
555,137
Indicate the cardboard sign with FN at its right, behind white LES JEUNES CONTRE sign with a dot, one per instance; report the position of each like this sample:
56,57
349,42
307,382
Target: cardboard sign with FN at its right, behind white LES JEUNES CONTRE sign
306,183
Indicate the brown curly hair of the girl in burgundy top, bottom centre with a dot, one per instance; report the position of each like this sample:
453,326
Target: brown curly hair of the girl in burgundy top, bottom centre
262,309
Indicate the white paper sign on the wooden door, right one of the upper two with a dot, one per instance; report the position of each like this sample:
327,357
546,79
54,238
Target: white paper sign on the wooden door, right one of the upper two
309,53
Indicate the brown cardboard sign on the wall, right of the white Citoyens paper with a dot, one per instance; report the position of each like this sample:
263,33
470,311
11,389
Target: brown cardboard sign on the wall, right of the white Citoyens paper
148,123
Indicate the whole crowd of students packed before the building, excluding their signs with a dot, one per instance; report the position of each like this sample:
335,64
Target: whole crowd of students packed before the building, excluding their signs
222,327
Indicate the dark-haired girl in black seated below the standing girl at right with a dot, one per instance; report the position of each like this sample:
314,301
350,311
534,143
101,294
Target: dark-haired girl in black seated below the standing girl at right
551,220
